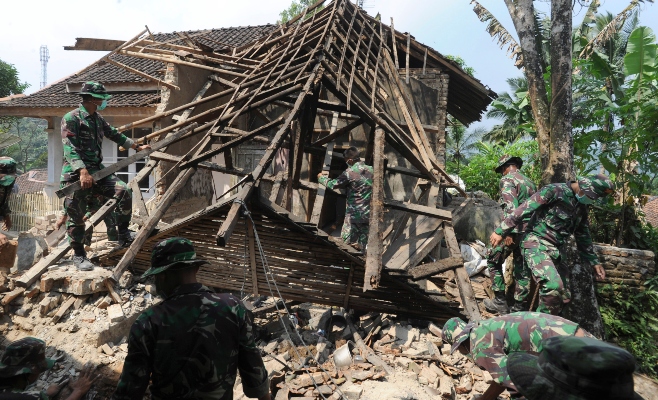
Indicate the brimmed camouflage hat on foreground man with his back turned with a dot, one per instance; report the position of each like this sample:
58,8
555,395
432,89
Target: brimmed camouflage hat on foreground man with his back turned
172,253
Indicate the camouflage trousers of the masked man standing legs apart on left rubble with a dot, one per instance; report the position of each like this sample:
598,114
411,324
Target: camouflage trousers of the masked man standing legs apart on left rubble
75,205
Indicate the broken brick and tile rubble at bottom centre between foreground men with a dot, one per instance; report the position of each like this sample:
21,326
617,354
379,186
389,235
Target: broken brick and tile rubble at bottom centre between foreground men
395,359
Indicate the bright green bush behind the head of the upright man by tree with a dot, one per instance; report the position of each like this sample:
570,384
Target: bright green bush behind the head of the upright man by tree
479,173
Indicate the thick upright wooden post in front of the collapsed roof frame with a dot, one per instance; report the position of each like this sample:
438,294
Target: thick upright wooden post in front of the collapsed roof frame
375,247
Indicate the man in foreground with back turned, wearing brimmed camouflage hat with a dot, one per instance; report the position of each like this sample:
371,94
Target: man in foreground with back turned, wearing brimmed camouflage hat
191,345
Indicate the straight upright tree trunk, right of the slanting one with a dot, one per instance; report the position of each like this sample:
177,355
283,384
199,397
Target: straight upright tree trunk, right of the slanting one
560,168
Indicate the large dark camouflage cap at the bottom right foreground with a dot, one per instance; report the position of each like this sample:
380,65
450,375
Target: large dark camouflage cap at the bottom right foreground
574,368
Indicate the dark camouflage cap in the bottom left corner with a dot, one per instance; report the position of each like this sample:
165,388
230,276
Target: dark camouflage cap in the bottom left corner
25,356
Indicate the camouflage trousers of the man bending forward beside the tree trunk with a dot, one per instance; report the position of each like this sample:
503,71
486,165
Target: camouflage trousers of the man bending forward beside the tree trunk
543,259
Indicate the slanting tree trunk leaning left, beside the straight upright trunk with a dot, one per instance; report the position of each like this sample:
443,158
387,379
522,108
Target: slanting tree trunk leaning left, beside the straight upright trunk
523,16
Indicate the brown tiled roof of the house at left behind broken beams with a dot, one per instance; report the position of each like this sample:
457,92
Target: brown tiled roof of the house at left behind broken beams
56,95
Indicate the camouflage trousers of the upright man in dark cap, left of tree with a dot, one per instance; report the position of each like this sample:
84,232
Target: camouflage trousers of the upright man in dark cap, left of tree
521,271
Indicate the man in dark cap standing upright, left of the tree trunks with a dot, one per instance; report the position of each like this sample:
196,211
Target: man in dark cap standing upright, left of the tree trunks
515,188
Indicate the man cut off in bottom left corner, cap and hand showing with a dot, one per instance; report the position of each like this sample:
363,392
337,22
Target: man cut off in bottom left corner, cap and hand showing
22,363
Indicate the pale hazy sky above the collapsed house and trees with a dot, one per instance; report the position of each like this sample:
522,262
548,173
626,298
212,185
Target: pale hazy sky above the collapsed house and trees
449,26
